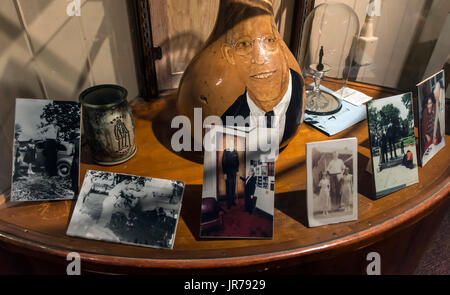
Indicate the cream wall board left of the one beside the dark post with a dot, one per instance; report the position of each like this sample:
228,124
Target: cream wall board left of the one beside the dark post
59,58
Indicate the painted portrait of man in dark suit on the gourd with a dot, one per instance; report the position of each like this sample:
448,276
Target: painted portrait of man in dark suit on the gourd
273,95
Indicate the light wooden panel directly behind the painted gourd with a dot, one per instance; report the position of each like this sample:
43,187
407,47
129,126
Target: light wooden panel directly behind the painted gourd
180,28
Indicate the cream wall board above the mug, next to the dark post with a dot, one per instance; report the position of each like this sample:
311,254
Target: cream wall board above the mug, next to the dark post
107,32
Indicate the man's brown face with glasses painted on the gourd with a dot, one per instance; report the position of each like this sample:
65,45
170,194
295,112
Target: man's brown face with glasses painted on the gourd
256,53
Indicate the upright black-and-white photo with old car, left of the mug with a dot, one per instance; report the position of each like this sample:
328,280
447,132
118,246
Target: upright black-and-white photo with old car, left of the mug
46,153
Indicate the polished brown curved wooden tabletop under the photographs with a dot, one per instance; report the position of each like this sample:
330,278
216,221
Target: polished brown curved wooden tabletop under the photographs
38,229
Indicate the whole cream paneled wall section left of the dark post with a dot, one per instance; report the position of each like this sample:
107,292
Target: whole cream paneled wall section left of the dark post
44,53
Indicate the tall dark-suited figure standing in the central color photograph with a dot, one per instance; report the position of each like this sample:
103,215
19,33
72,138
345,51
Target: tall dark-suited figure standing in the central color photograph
230,167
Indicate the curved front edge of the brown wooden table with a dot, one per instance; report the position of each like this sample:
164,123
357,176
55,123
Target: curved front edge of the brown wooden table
362,238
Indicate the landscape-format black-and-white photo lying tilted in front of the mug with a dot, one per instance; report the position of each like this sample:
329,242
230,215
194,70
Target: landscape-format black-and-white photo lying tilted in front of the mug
127,209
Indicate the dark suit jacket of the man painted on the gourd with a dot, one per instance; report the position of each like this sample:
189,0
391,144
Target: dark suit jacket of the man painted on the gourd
293,113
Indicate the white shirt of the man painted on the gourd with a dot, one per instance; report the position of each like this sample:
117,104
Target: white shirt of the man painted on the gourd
258,118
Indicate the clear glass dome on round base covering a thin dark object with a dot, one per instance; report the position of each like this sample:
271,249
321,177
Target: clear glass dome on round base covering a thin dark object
326,54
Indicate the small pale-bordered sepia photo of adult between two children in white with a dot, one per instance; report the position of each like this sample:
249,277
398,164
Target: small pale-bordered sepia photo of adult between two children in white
332,184
